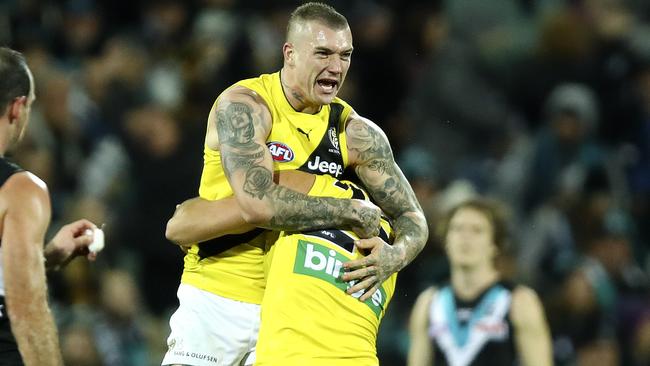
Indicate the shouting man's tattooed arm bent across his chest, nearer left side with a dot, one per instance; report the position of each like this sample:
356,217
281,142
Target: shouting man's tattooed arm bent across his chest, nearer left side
243,123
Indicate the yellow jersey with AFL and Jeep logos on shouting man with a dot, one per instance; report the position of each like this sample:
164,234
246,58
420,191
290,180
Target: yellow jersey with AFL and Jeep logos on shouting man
232,266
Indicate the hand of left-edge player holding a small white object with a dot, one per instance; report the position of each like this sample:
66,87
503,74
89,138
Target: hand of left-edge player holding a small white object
71,241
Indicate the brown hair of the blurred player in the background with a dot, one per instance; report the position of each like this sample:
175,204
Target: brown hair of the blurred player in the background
492,210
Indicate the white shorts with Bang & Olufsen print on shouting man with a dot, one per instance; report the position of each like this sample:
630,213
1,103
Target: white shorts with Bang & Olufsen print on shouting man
211,330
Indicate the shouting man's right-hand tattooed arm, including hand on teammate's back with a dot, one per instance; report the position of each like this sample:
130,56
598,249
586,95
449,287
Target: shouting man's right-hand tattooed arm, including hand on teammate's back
375,166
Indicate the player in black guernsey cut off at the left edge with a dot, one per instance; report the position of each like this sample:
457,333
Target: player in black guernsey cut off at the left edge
25,211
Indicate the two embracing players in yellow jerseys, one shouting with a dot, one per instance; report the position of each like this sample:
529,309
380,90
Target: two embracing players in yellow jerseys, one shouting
277,226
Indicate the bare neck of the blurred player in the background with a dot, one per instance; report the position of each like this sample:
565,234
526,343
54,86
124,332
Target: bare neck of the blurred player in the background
468,283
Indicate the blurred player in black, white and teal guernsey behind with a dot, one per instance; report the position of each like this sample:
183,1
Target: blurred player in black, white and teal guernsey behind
477,319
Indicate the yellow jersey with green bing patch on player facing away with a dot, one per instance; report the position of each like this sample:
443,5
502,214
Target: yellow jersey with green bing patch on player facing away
307,318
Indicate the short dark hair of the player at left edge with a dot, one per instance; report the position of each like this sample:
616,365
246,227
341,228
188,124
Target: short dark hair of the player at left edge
14,77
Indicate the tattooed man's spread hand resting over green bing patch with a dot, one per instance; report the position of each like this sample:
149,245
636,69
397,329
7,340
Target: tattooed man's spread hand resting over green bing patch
372,270
